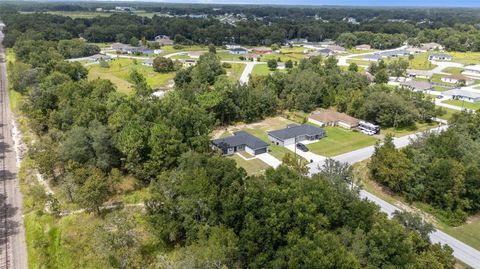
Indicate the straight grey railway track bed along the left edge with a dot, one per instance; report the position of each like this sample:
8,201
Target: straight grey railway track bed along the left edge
13,252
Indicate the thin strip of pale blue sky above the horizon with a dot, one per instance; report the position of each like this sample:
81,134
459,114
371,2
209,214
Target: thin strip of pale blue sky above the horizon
428,3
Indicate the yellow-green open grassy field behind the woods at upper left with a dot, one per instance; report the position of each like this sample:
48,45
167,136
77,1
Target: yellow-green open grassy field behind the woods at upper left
119,72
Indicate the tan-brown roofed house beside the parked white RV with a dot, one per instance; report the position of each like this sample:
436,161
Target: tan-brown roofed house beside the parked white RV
333,118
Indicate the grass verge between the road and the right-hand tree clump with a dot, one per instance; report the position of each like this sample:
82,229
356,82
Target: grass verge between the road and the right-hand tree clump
468,233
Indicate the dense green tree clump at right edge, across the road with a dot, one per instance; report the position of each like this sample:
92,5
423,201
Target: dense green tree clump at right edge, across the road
442,169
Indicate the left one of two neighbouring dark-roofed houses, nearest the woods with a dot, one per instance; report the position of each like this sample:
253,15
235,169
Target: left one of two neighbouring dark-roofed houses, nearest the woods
241,141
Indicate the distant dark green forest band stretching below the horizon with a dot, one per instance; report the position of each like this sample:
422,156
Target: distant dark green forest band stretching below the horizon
455,29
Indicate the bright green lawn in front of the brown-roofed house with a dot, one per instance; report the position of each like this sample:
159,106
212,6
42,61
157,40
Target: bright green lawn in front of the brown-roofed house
340,140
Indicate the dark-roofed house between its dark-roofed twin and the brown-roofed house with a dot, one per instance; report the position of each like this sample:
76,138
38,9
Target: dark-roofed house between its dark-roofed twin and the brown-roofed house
295,133
